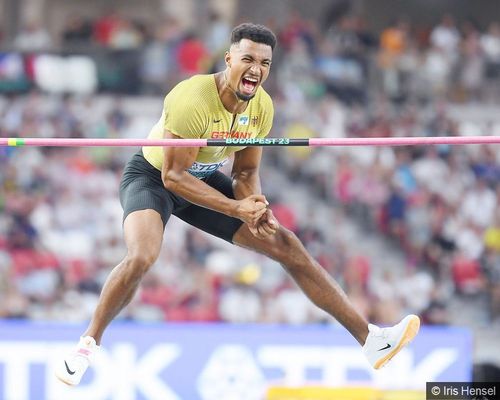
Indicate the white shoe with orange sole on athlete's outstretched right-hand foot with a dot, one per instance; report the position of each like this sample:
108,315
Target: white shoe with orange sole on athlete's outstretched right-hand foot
384,343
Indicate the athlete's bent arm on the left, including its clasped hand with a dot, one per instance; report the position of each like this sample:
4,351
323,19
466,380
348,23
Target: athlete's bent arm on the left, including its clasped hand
176,179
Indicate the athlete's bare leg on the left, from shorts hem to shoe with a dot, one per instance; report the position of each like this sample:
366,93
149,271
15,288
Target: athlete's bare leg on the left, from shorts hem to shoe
143,231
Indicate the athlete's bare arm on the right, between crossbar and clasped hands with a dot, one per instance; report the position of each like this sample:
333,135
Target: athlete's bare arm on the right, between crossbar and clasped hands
245,173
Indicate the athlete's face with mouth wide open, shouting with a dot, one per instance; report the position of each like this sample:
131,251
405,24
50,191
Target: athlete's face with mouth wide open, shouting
248,64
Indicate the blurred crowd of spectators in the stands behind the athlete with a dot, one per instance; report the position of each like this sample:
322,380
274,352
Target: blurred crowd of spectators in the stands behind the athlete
433,211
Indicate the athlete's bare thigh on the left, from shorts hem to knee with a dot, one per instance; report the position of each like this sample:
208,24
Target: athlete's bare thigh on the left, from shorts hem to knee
143,232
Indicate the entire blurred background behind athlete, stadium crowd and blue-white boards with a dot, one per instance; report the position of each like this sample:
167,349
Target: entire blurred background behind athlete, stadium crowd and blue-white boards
403,230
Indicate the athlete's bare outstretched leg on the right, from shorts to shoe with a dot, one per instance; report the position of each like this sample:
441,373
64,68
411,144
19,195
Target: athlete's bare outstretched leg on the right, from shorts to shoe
317,284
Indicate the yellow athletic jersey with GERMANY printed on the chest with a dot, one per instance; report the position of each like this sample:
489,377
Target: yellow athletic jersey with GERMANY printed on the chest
193,110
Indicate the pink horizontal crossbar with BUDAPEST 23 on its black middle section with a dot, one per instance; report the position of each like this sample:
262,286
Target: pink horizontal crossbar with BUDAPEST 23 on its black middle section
309,142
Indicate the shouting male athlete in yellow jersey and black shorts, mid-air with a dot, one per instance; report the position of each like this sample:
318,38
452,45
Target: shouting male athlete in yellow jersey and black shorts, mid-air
185,181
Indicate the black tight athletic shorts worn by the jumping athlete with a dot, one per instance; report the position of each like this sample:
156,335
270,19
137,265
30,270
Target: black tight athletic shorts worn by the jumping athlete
141,188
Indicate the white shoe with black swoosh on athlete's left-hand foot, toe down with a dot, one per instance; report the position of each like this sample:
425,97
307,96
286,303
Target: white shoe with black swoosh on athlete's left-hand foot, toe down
70,370
